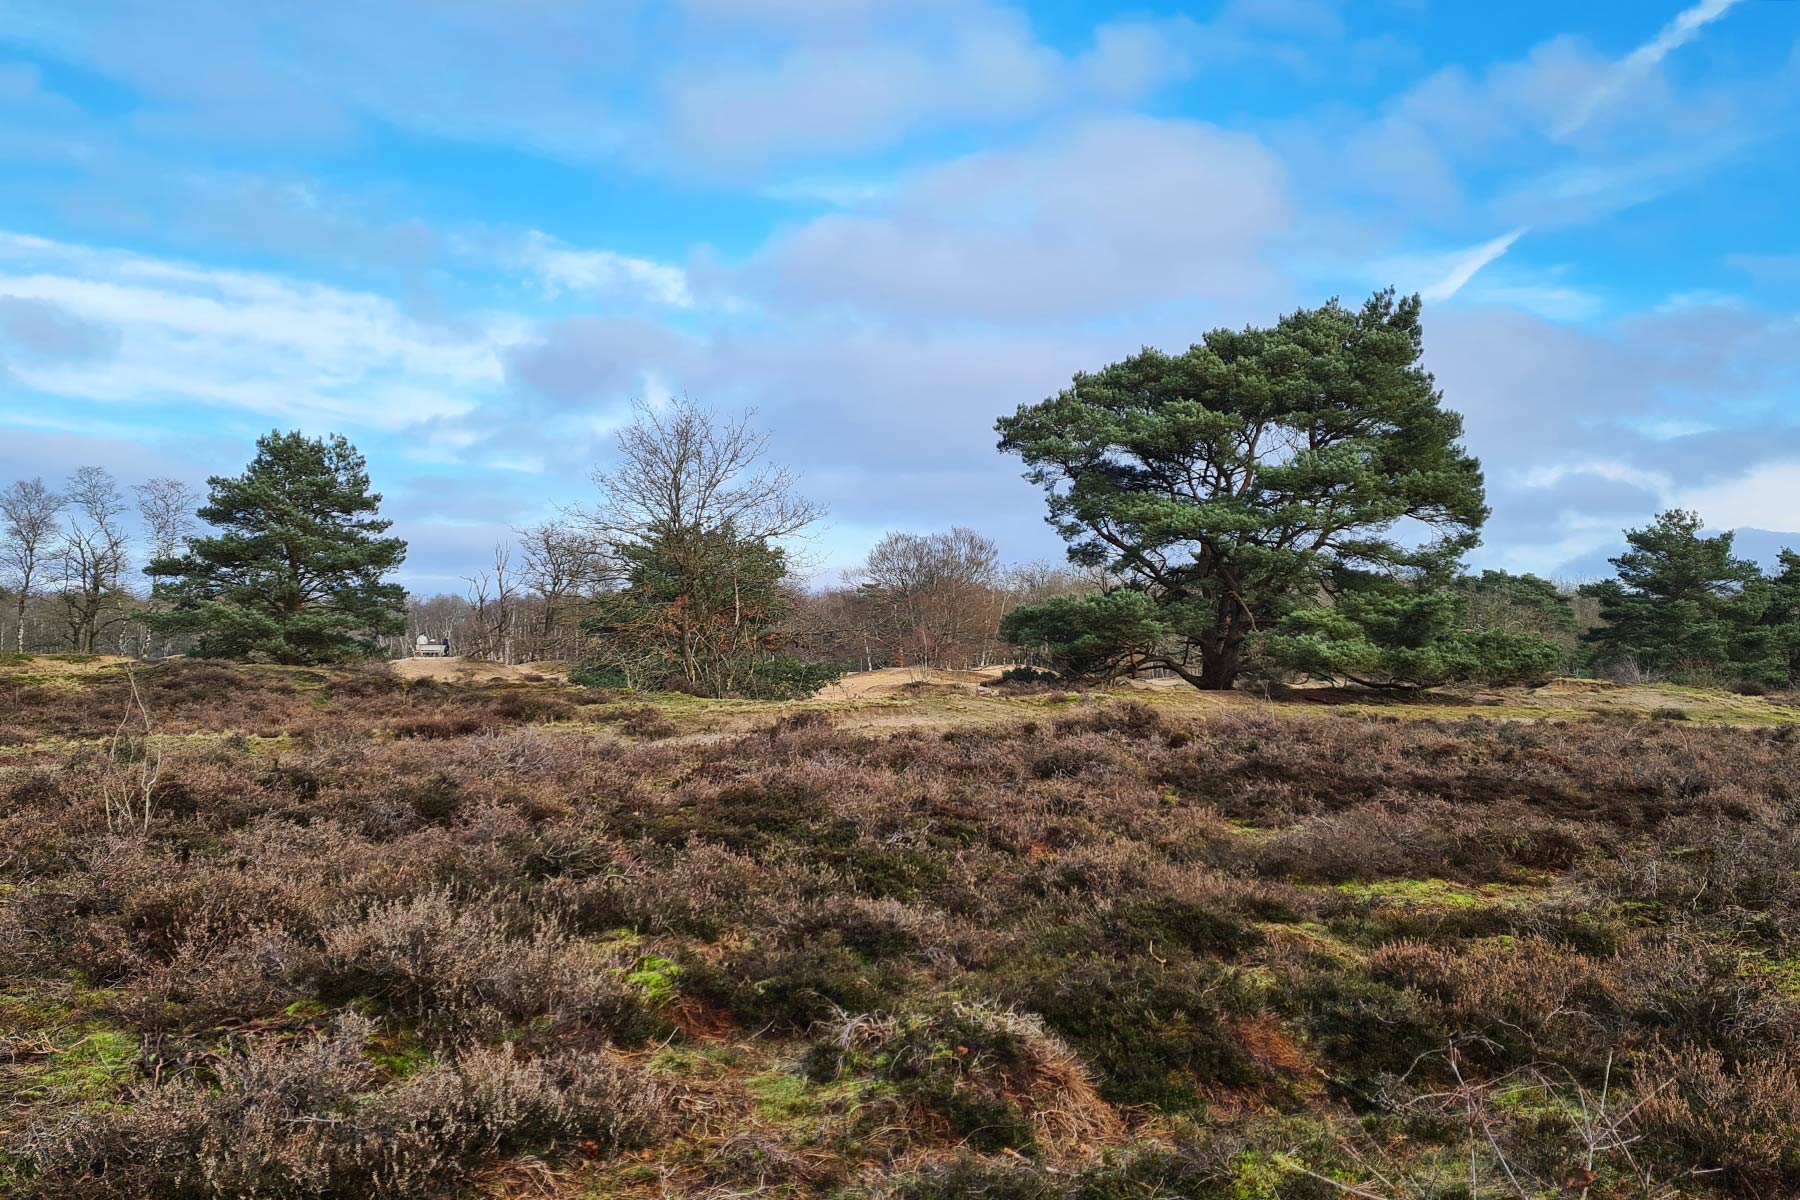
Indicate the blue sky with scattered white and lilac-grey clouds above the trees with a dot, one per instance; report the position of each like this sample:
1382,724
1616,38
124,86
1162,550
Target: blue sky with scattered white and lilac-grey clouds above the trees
471,235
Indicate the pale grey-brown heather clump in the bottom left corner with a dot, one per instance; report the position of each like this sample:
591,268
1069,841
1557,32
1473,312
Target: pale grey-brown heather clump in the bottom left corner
316,1120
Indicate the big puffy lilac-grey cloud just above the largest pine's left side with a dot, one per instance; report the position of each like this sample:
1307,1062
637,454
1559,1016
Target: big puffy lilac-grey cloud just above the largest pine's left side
1113,217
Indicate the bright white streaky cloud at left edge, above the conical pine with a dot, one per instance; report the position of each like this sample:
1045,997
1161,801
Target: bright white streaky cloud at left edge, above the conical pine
244,341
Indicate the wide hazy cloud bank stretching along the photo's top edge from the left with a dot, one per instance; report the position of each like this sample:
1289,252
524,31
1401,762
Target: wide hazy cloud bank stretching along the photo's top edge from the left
728,87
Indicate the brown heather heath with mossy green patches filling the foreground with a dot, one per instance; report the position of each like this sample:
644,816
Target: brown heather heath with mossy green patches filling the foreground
913,938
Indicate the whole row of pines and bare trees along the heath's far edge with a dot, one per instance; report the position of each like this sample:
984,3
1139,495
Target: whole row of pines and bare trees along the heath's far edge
1272,505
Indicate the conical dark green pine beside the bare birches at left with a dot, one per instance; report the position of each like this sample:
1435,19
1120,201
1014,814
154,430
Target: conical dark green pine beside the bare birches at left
296,569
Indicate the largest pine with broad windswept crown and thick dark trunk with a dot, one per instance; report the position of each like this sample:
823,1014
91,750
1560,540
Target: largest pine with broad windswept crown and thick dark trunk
1246,478
